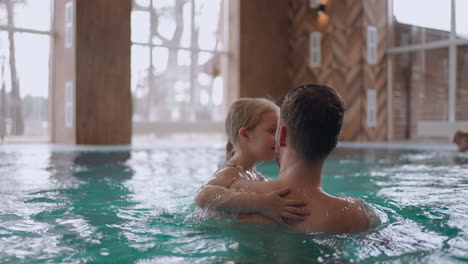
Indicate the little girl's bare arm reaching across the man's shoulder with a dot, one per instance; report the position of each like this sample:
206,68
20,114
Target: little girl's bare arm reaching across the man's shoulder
217,196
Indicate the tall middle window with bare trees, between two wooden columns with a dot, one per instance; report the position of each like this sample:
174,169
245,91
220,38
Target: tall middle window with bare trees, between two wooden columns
179,65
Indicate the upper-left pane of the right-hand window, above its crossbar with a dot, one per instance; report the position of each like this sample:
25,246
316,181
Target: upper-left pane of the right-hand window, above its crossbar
430,23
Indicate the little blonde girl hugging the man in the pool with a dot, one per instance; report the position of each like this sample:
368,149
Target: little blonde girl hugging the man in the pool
251,128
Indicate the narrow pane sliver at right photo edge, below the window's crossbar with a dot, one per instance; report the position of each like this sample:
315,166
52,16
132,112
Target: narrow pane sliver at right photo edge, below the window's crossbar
461,103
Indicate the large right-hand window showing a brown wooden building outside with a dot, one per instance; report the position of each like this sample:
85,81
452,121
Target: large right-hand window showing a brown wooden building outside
428,68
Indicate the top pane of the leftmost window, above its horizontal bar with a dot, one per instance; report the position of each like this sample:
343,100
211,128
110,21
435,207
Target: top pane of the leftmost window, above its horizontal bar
27,14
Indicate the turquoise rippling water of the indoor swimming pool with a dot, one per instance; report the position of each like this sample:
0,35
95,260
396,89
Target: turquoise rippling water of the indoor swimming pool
135,205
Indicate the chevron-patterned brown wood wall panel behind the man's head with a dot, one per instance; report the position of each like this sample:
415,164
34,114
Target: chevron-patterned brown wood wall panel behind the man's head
343,58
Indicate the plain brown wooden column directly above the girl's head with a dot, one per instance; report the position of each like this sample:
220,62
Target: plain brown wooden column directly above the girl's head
261,50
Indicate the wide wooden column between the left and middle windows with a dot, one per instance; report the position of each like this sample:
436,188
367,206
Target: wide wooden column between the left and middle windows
98,66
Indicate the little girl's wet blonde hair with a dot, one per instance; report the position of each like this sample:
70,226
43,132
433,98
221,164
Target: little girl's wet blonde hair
245,113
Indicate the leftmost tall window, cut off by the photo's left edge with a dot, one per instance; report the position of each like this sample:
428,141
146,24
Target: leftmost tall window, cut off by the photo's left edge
25,37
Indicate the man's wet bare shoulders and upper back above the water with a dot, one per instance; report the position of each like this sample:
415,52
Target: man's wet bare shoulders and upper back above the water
329,214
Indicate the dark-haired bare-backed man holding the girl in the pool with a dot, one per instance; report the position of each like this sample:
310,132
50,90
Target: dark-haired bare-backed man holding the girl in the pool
310,123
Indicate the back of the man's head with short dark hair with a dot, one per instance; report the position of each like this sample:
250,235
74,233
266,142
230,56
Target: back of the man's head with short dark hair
312,115
